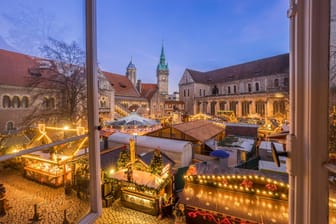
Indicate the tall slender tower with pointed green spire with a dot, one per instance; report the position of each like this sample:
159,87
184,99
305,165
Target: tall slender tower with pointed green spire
162,73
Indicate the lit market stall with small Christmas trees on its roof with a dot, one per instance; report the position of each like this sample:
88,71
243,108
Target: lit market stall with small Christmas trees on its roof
146,188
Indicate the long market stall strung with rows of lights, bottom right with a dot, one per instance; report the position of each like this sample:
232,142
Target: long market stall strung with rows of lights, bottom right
235,196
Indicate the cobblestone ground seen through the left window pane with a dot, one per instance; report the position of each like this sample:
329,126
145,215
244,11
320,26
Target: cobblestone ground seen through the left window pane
22,194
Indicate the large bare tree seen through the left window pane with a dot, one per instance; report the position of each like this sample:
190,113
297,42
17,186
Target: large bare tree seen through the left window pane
58,85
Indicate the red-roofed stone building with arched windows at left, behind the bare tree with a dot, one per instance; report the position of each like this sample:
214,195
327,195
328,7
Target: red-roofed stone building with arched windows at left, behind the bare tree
18,98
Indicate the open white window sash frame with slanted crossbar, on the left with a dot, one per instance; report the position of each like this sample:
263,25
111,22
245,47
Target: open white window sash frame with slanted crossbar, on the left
93,122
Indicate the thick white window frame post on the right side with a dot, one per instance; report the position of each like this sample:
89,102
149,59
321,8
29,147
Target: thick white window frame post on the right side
309,81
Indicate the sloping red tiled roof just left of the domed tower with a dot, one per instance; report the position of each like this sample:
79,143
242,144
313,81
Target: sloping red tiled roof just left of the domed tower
122,85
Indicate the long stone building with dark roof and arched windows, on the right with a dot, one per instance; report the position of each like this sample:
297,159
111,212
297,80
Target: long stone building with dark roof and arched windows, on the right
254,88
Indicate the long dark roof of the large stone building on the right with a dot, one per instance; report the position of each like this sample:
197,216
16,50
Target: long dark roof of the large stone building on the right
261,67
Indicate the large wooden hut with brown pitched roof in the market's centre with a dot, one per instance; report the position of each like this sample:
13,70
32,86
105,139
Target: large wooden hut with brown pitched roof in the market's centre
202,133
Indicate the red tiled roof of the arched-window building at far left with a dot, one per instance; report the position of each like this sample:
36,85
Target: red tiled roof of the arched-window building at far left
14,68
